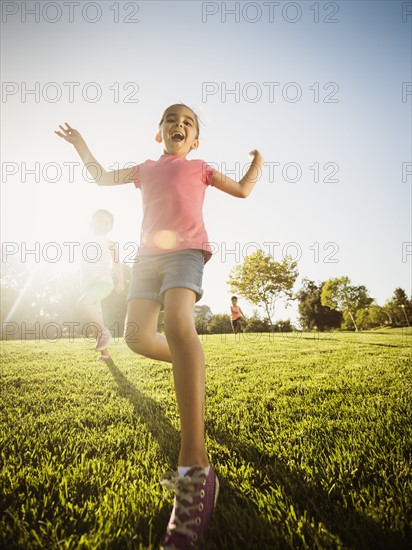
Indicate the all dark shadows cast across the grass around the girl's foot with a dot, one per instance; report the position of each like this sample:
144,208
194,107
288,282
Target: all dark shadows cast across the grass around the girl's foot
238,523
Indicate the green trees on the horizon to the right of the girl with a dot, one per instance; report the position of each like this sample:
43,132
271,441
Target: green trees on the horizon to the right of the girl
332,304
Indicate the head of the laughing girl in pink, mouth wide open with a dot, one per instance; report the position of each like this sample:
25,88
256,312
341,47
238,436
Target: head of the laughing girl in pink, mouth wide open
178,130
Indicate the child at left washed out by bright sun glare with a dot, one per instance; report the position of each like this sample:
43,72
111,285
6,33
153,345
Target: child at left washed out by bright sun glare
98,265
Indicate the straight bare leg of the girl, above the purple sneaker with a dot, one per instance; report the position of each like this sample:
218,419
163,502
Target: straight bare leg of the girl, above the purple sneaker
189,374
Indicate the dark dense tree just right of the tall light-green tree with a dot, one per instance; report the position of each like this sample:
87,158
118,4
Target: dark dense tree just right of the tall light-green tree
311,311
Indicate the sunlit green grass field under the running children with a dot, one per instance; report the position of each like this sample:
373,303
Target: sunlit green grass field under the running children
310,437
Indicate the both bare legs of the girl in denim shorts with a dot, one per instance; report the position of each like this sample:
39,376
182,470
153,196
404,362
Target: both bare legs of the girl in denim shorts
182,347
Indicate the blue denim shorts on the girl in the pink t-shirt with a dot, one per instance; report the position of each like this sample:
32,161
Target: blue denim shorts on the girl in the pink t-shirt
153,275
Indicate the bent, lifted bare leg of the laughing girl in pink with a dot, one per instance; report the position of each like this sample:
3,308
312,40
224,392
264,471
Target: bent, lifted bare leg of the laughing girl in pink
141,330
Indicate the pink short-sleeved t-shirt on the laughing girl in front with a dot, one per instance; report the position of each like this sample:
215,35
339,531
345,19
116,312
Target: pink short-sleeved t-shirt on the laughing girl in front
173,190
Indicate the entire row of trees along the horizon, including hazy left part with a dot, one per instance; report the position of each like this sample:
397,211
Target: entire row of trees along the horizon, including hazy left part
35,302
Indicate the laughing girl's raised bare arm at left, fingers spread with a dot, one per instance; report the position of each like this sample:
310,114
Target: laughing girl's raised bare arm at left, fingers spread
95,169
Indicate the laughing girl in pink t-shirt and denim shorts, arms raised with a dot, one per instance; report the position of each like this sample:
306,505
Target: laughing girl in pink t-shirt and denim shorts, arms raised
168,274
